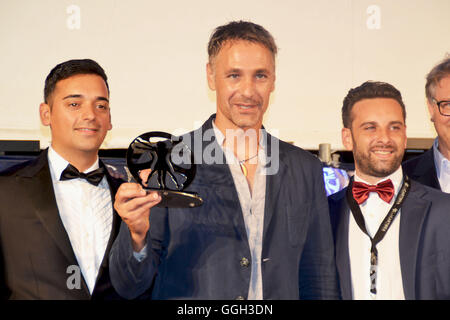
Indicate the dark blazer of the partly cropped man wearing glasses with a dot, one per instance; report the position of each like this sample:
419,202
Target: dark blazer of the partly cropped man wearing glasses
422,169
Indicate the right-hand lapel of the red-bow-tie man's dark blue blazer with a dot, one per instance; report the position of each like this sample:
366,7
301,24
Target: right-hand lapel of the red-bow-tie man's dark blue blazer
413,214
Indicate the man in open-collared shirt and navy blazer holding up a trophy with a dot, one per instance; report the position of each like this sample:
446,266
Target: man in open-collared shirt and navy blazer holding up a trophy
263,230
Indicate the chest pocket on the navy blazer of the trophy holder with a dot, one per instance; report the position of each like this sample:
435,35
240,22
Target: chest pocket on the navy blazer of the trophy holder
297,221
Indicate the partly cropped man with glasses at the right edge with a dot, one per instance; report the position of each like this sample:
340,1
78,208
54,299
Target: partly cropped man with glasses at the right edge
433,167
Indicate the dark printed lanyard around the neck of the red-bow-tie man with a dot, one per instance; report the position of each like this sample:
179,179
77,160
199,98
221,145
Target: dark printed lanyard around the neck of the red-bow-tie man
382,230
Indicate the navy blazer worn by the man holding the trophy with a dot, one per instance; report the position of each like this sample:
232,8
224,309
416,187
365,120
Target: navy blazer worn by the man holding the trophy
198,253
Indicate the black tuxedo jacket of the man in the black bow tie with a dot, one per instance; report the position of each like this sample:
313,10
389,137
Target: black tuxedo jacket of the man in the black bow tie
35,250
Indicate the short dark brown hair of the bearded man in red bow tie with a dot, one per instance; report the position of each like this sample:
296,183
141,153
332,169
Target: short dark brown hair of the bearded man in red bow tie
369,90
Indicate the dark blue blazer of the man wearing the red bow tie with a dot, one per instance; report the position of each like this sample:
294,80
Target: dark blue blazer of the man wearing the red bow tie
424,242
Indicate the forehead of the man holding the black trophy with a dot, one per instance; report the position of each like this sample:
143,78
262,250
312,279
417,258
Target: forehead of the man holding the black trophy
244,54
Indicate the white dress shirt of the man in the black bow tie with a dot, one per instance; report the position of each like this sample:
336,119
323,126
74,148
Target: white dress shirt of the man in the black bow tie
86,213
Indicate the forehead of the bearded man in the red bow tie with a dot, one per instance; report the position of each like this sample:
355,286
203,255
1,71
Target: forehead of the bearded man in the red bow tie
377,110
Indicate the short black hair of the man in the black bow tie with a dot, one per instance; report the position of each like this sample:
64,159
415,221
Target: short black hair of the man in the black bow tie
71,68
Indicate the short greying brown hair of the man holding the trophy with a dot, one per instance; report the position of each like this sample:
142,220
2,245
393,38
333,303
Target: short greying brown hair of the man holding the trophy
240,30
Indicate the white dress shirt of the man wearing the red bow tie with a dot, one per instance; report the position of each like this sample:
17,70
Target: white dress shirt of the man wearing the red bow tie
389,282
